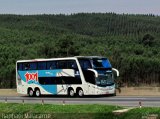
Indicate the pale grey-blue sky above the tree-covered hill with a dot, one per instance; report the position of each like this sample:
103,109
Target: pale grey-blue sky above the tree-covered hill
78,6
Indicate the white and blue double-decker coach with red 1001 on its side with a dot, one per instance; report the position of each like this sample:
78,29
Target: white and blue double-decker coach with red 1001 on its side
78,75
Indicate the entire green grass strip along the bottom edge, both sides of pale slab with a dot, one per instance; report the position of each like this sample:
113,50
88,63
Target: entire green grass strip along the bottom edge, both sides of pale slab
94,111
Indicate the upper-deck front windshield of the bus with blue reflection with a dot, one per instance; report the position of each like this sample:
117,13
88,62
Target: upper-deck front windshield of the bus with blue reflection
101,63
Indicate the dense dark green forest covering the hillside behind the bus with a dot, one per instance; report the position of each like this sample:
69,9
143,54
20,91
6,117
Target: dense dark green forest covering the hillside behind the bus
130,41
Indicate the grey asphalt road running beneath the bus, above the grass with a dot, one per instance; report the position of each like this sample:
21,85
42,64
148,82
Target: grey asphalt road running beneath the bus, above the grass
127,101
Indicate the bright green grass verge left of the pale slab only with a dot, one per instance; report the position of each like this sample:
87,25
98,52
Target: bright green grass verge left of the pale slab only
51,111
